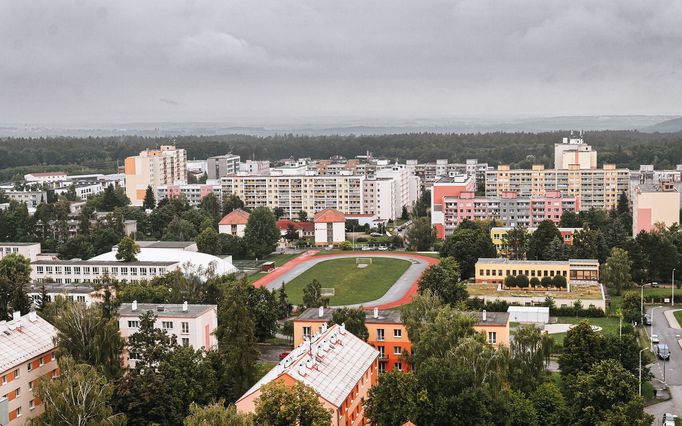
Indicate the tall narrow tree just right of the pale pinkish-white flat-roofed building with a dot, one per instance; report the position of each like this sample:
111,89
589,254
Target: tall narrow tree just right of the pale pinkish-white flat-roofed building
237,341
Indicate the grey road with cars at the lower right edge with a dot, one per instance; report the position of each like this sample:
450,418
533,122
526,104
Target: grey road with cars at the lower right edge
667,372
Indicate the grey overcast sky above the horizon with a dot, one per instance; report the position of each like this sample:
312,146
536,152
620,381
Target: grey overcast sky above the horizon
139,60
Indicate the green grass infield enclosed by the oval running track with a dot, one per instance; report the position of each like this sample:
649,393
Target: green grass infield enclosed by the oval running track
352,284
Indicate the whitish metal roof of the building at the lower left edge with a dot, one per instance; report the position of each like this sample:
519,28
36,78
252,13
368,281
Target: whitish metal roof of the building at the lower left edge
21,344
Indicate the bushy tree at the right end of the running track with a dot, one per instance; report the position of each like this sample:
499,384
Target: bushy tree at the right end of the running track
444,280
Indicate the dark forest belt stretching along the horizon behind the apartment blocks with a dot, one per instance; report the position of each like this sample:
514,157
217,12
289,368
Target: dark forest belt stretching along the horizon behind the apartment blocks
86,155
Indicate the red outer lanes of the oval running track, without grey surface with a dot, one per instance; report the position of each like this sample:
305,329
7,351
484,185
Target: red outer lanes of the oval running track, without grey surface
405,299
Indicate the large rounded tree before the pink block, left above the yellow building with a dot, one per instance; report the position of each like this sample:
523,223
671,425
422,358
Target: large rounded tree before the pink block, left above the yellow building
466,245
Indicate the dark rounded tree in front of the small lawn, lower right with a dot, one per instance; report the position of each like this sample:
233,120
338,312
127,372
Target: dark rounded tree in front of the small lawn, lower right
583,347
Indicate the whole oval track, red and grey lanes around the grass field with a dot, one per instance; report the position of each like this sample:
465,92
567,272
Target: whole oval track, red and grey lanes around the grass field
400,293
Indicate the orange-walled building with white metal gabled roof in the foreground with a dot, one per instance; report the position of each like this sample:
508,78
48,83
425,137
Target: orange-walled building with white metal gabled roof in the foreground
338,366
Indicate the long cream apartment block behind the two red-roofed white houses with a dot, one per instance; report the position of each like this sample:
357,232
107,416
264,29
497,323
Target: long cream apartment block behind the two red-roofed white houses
298,193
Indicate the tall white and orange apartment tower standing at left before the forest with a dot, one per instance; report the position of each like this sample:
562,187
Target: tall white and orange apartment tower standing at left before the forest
164,166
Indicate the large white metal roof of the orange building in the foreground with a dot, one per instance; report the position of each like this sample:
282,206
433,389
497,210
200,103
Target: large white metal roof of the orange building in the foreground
332,375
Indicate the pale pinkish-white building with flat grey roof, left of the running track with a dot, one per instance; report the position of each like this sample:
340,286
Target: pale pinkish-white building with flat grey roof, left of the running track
192,325
